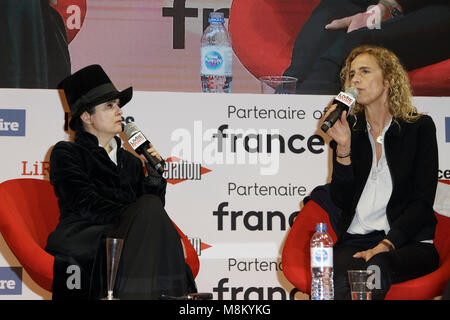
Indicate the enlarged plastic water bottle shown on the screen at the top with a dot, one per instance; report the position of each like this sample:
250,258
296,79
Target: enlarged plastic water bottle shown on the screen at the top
216,56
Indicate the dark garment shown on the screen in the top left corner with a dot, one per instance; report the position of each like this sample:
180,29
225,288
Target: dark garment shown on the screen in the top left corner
36,52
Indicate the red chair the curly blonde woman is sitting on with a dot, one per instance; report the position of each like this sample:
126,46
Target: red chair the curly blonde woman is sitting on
296,257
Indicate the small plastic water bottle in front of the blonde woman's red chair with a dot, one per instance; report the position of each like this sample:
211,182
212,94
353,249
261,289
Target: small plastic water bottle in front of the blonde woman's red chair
322,264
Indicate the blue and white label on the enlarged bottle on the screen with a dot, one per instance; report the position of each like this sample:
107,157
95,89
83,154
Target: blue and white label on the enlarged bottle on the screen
216,61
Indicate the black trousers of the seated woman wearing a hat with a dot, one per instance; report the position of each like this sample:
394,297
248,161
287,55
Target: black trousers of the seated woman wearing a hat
152,261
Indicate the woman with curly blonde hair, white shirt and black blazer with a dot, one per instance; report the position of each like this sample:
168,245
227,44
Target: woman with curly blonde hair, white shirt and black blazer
384,176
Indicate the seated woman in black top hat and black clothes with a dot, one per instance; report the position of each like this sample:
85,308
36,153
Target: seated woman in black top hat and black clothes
102,191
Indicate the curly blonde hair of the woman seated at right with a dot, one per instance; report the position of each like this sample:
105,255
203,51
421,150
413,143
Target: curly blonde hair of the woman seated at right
400,92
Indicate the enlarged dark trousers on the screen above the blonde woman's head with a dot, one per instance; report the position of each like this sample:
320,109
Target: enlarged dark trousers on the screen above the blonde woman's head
418,38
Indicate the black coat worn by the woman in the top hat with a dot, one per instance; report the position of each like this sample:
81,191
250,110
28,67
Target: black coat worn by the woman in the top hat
92,193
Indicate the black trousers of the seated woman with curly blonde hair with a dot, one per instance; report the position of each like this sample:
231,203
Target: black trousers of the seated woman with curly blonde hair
408,262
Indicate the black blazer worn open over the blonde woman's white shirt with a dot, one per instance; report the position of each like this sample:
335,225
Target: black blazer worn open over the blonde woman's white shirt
412,157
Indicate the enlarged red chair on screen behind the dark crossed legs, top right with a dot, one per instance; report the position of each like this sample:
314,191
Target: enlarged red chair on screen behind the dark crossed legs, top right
264,32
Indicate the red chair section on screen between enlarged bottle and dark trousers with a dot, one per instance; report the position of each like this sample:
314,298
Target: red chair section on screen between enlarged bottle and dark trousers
264,32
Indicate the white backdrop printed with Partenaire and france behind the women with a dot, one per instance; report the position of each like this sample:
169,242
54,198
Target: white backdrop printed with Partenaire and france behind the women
237,211
